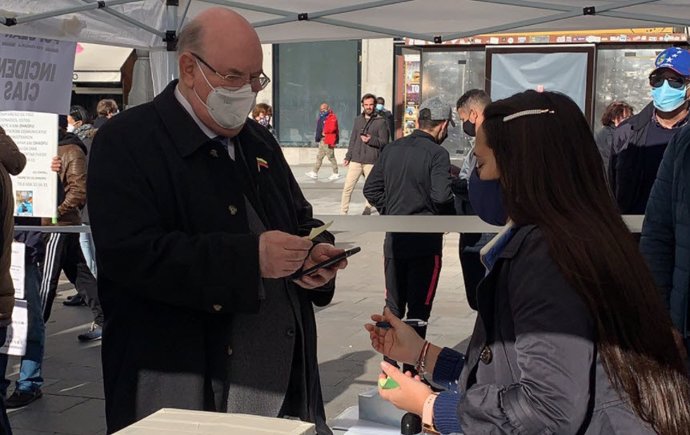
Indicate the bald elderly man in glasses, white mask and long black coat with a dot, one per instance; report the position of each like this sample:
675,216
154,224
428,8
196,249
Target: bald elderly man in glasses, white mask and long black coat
198,218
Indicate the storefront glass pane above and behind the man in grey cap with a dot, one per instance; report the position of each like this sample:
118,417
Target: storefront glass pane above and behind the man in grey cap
448,75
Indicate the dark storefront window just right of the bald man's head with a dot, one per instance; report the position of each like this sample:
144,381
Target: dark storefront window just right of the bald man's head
308,75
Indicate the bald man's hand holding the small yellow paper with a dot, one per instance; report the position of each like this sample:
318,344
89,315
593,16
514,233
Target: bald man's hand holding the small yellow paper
281,254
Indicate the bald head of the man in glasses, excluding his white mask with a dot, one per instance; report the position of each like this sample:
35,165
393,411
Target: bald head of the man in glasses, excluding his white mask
217,42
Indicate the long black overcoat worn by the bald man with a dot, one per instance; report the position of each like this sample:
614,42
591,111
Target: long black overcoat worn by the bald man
170,219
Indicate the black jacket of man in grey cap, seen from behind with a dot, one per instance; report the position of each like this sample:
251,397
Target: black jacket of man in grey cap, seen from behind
412,177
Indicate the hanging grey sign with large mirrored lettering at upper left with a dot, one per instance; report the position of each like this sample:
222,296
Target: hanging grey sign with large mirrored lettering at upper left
36,73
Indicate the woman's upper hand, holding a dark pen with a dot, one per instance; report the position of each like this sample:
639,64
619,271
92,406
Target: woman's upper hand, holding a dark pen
399,342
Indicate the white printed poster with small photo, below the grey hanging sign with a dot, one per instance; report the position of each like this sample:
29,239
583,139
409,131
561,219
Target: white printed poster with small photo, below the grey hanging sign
35,189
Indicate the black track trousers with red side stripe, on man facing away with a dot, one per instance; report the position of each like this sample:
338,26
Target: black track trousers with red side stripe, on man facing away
410,289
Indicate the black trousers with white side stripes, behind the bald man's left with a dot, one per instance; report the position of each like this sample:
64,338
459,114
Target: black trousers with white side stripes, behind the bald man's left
63,252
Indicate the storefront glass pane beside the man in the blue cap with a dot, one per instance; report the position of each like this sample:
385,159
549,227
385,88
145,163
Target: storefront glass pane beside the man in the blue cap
622,74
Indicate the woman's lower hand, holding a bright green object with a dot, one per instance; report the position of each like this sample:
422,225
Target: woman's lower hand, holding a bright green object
411,393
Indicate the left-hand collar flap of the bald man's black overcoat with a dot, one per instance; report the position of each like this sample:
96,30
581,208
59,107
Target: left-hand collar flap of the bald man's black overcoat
185,133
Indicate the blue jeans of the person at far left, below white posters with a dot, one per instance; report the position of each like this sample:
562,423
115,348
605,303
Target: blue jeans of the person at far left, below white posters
30,370
